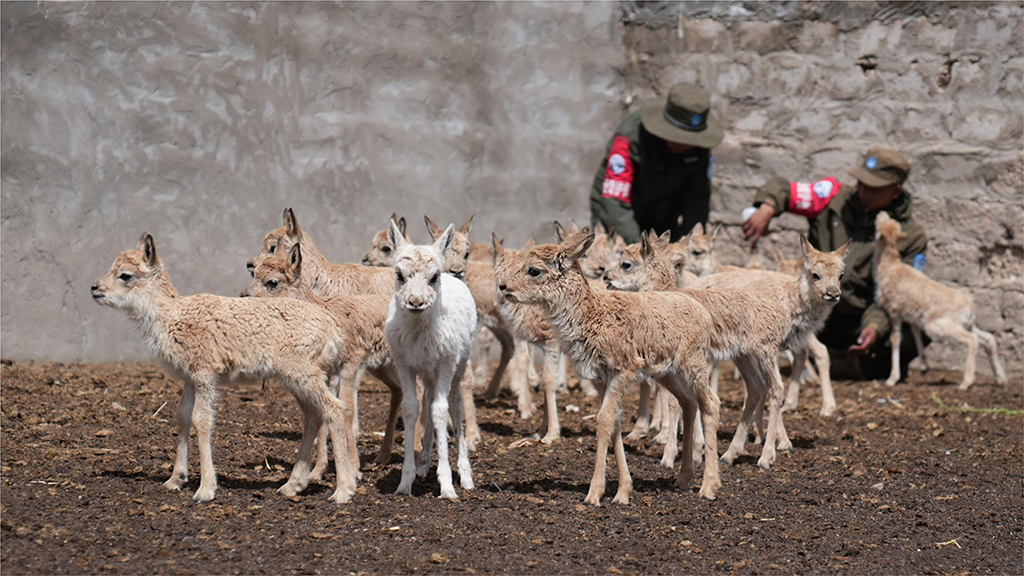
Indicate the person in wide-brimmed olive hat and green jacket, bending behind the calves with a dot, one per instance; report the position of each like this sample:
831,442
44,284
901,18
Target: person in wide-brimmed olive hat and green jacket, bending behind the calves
658,167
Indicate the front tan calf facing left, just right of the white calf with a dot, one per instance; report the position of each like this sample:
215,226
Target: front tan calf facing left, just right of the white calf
623,339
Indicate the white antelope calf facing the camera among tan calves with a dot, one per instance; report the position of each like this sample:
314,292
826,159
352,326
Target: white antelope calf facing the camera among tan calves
431,327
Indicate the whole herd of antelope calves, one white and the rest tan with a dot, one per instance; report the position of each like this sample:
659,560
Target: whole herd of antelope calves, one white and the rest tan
657,314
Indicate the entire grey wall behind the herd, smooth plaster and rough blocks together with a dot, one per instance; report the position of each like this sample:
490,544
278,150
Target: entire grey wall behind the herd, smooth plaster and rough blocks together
200,122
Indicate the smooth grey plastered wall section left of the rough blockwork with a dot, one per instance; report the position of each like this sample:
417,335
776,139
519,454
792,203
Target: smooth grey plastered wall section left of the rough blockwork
201,122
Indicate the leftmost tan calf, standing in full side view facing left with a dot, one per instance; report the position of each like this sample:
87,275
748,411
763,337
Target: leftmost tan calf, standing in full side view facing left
205,340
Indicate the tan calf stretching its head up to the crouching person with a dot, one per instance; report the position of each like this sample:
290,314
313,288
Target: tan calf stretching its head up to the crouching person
911,297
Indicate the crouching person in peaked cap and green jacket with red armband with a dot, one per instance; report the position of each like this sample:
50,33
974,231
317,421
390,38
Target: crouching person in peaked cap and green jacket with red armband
839,213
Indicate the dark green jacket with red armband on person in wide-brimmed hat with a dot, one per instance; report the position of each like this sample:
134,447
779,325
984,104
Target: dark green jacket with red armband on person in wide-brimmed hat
659,186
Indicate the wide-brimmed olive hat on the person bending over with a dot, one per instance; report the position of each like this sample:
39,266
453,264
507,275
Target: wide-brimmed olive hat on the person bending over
684,117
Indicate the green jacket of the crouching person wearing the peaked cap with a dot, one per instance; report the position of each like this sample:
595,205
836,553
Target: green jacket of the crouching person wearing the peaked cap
842,220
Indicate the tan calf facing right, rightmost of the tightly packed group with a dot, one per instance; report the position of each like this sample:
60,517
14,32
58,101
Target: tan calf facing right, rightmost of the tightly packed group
807,301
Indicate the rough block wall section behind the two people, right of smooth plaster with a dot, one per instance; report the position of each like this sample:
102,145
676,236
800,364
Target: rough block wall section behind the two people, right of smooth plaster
804,89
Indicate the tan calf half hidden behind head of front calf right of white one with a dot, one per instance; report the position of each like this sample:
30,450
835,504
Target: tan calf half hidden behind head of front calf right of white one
530,323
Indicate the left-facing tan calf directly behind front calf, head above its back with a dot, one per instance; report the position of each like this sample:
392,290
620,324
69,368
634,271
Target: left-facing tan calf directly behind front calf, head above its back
748,328
